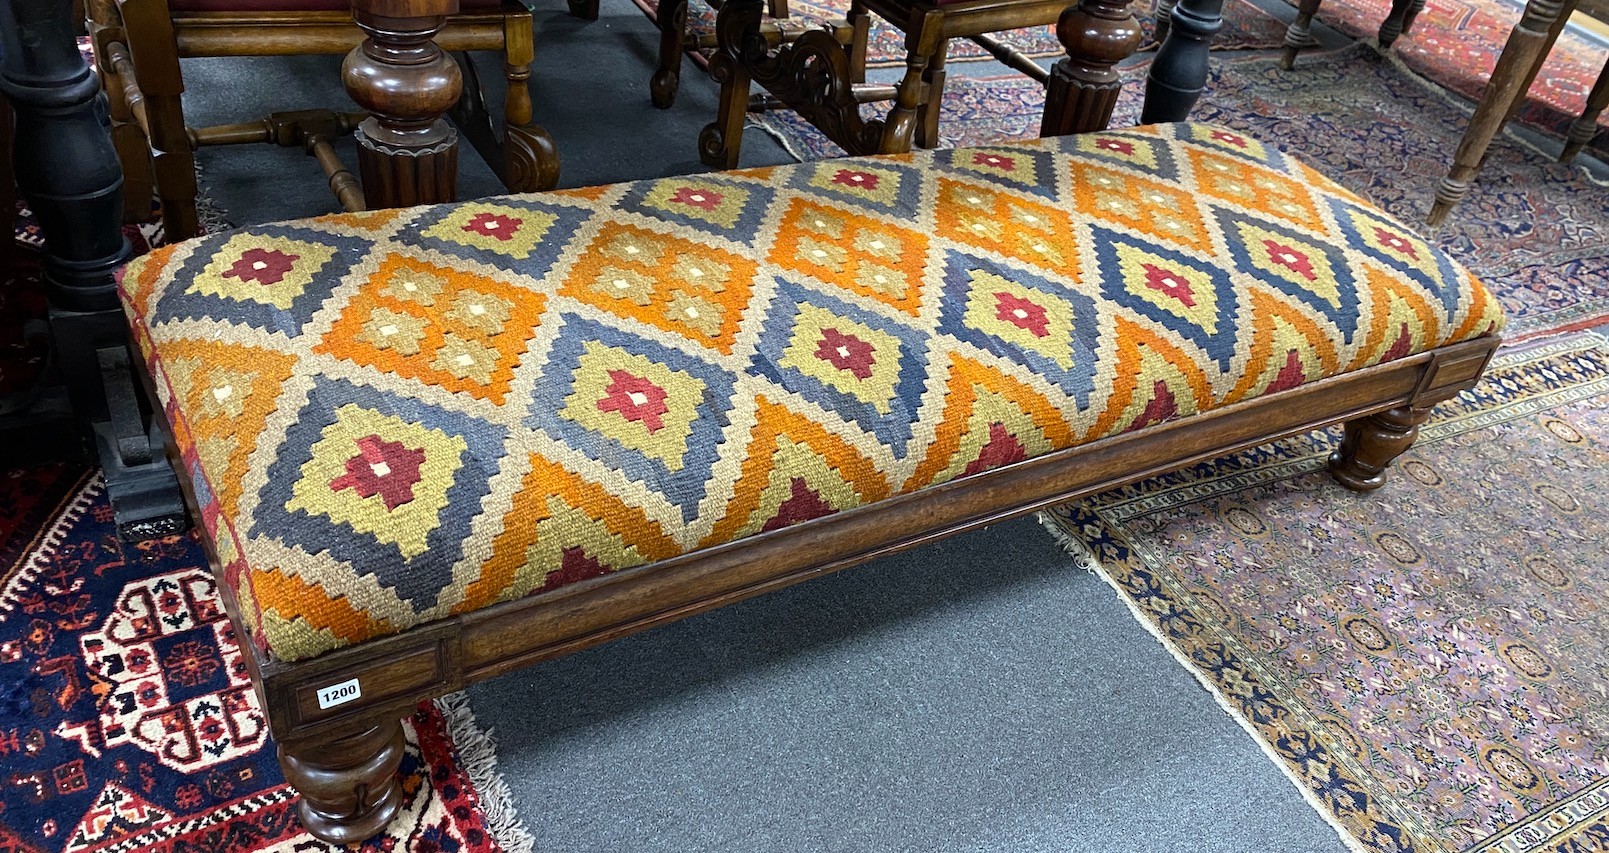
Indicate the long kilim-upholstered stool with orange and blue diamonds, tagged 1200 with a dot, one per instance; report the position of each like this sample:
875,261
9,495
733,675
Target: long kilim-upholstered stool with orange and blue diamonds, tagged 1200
435,445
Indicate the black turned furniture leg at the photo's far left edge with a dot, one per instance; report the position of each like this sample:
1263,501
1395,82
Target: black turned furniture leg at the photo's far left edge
68,173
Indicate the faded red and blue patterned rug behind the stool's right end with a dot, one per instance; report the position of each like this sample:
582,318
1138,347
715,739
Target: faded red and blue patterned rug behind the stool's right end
1534,231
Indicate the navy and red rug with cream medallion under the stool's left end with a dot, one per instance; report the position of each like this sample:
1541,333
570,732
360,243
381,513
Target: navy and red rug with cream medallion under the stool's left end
128,722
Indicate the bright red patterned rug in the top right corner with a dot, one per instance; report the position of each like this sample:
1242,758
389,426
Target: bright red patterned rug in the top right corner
1457,44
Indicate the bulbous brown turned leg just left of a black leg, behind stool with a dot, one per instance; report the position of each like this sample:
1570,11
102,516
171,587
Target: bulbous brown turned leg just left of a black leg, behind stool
1085,86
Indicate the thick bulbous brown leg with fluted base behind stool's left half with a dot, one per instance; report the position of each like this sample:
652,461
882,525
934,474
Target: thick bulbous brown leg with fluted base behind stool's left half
408,154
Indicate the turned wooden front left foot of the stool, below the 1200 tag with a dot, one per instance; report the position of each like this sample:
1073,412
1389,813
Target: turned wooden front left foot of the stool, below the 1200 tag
348,781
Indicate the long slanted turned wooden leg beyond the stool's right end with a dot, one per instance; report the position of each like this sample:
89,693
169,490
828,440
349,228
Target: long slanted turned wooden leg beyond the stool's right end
1518,64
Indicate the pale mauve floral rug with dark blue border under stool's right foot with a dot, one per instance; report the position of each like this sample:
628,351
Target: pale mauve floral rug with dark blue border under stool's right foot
1430,664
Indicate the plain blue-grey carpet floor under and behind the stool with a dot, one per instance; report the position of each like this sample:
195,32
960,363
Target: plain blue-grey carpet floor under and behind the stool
976,694
